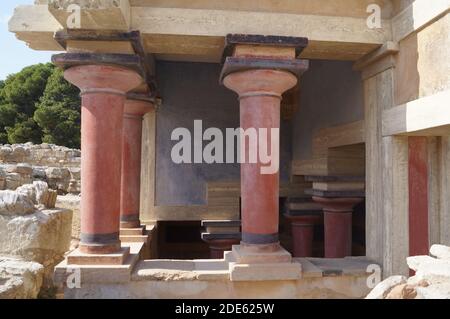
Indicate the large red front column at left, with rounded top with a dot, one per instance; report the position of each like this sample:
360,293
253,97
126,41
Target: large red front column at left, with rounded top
103,90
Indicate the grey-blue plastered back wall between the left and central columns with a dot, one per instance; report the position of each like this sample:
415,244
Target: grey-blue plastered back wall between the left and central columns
191,91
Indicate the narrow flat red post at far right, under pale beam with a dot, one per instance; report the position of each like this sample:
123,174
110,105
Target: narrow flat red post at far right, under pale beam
418,195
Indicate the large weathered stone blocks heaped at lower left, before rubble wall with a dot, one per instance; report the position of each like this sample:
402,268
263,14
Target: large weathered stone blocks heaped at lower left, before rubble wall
34,237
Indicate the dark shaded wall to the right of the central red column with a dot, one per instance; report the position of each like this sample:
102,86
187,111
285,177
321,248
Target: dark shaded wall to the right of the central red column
330,94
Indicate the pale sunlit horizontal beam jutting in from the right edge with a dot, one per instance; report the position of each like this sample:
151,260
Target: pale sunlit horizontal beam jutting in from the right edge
428,116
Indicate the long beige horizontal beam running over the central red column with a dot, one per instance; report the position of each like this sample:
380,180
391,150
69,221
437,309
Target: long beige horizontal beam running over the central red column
327,34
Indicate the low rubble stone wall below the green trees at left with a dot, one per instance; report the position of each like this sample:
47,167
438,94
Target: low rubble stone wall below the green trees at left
58,166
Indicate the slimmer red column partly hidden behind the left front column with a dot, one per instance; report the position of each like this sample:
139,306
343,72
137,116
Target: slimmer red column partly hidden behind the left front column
131,161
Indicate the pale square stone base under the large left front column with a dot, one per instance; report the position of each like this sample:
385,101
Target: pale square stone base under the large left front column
78,257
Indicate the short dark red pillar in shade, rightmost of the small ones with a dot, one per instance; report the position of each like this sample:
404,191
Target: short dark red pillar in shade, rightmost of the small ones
338,225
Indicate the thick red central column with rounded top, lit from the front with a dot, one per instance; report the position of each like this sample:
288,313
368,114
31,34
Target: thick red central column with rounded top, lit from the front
260,96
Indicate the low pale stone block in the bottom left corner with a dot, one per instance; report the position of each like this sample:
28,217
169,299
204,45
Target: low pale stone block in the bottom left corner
20,279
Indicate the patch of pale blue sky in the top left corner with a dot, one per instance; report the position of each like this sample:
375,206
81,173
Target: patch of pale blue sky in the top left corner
14,54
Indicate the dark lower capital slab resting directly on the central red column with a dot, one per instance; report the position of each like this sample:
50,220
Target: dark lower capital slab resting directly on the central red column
237,64
